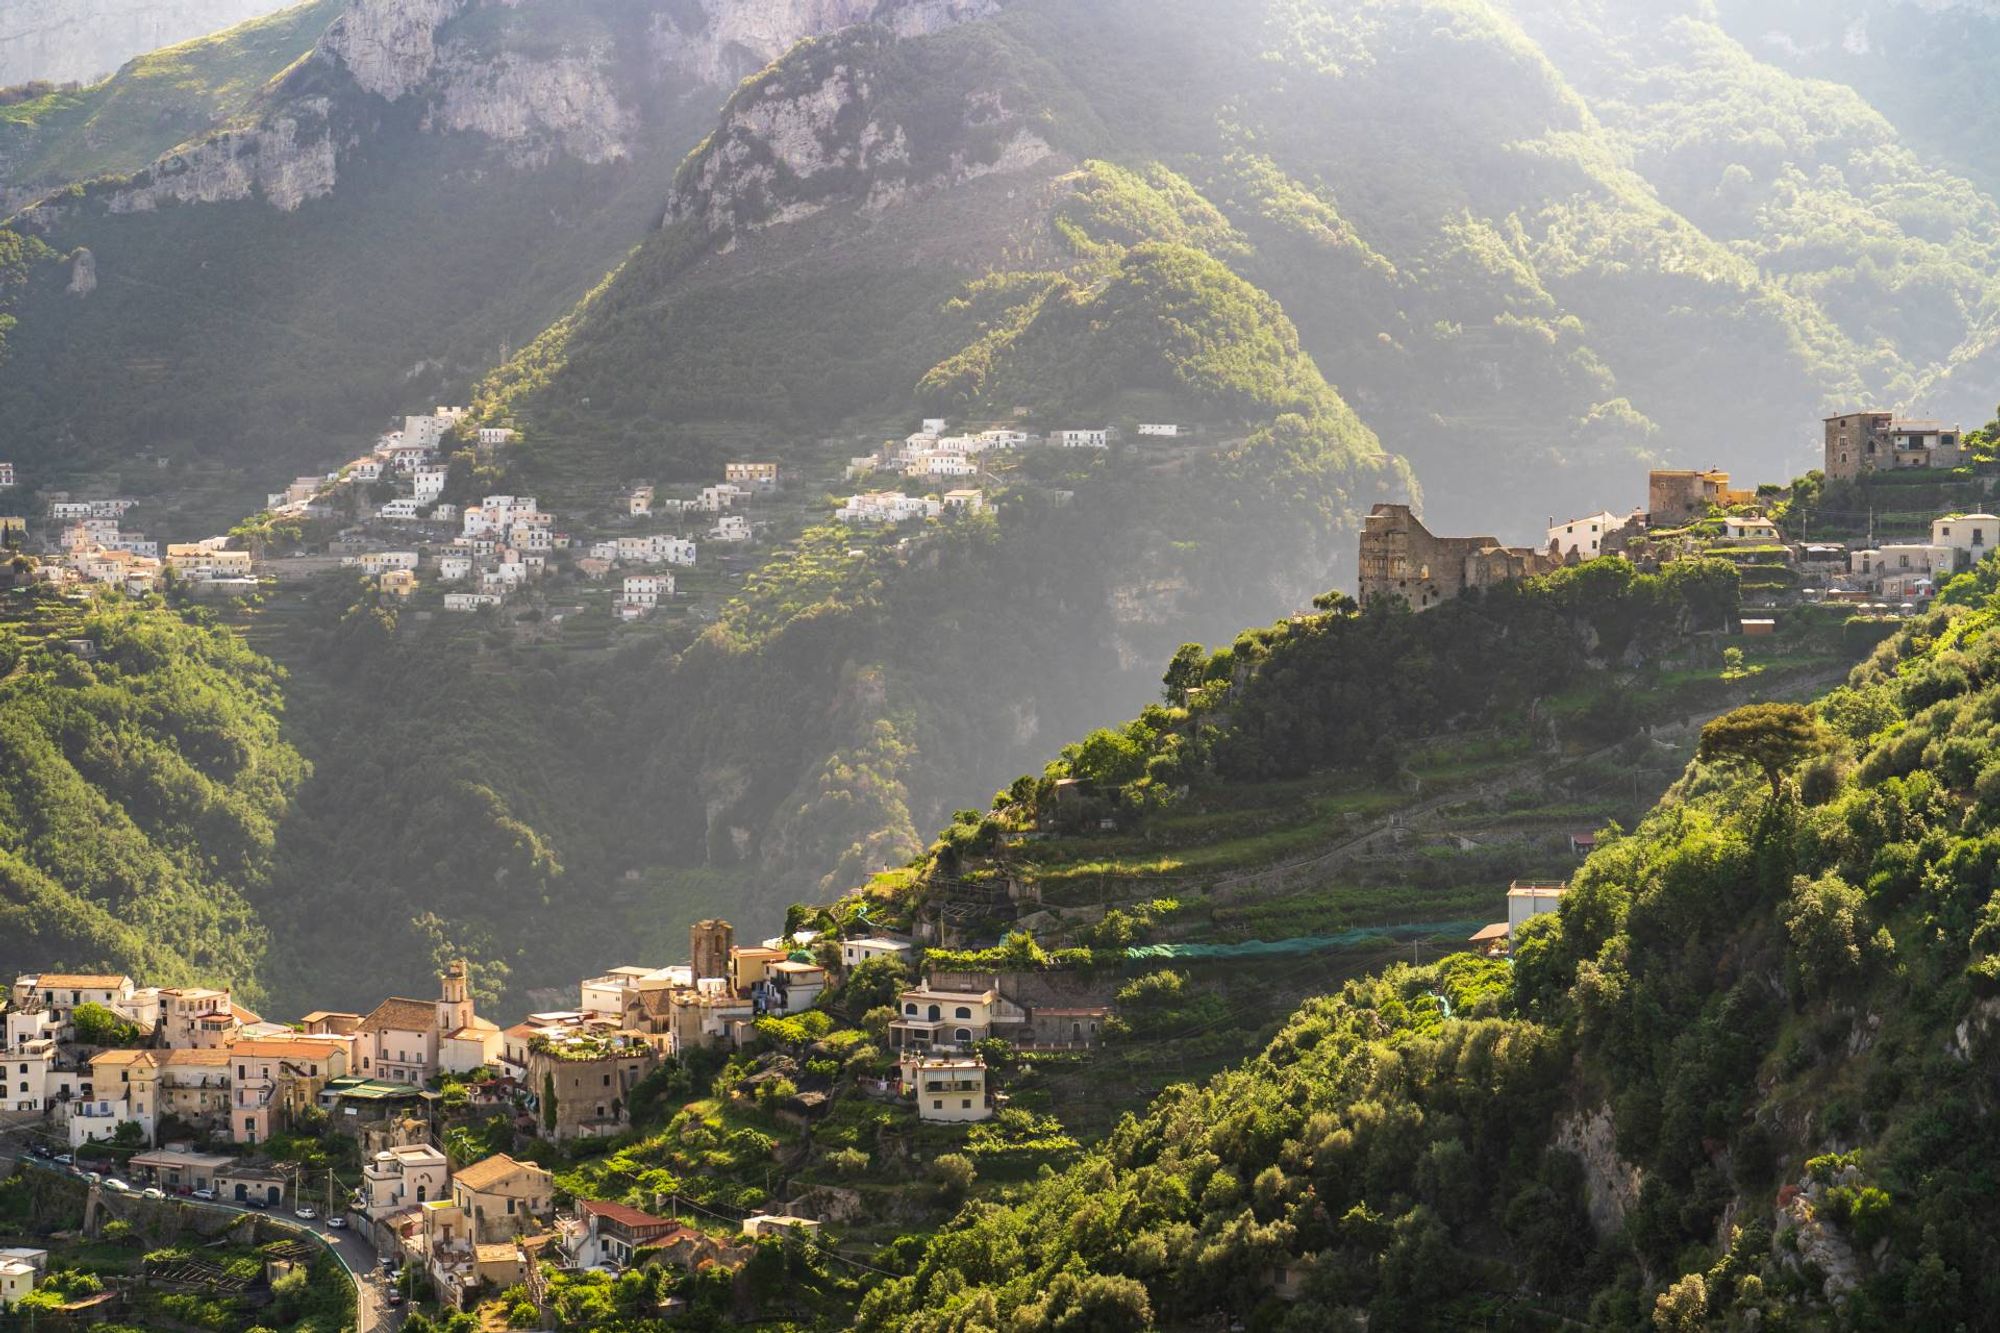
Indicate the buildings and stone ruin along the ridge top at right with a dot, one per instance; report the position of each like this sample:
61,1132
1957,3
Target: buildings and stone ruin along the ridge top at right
1403,559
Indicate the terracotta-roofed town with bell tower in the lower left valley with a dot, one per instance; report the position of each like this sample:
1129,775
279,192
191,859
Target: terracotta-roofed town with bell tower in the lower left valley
179,1092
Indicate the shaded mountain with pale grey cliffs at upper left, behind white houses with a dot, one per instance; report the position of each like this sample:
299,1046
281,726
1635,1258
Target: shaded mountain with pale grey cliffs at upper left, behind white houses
419,187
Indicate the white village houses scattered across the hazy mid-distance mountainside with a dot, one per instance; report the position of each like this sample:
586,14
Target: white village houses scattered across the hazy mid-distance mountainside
391,517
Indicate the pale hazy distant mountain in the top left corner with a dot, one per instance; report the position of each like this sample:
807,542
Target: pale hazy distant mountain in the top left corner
83,41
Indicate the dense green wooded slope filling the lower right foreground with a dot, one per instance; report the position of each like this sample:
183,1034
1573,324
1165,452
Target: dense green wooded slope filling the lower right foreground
1733,1082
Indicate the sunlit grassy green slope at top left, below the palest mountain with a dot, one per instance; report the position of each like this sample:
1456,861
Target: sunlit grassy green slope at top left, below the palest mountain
155,103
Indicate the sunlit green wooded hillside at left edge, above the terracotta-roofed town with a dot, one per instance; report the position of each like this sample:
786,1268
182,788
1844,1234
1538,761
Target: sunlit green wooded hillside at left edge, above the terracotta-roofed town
141,798
